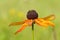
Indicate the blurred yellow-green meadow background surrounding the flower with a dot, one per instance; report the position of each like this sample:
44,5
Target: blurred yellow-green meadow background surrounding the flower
15,10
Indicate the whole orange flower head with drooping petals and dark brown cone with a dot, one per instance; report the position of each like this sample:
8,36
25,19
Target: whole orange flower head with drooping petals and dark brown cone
32,16
